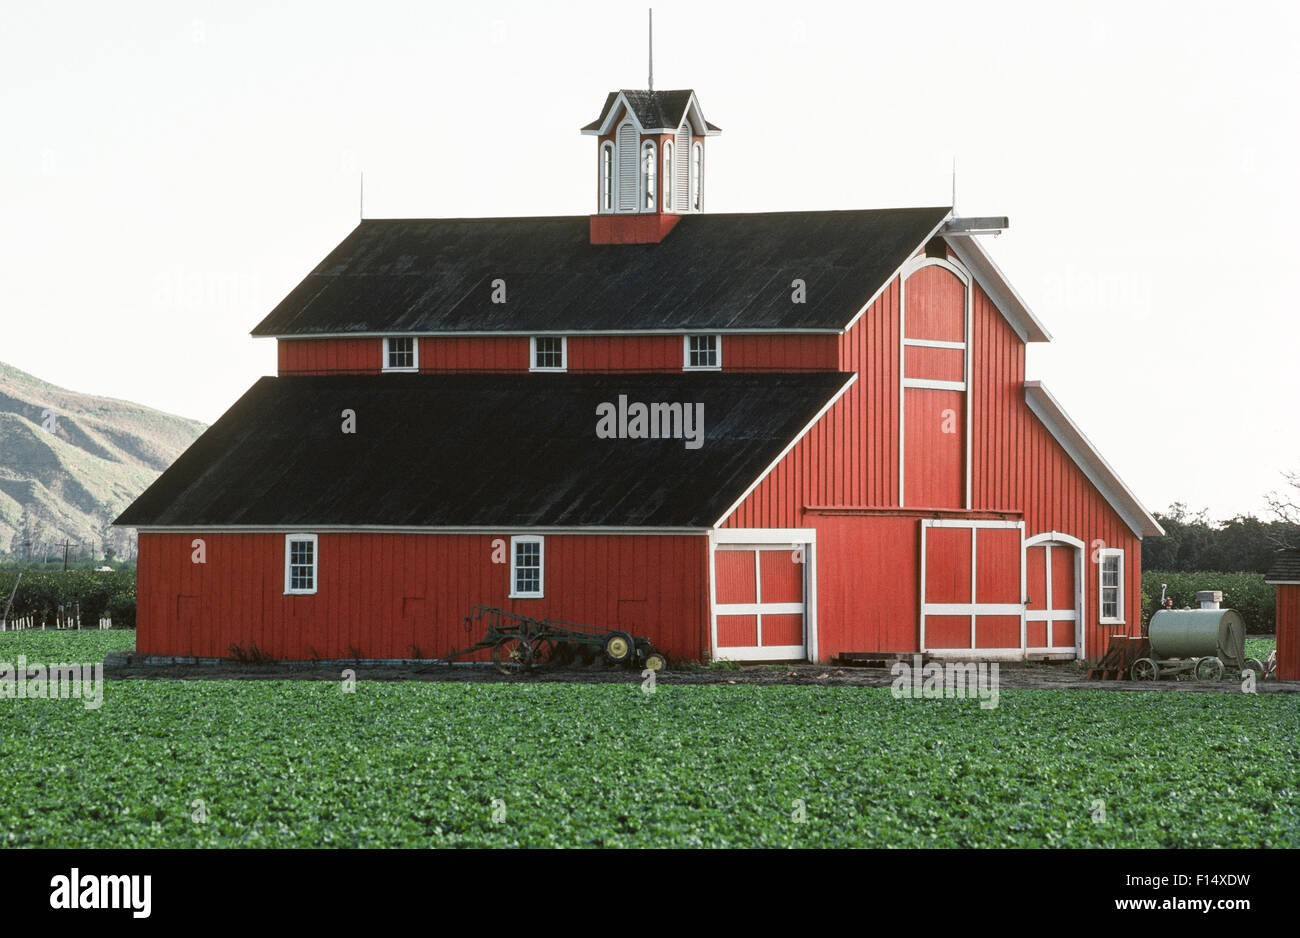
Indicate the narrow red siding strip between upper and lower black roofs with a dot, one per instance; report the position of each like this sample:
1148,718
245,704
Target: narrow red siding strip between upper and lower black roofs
586,354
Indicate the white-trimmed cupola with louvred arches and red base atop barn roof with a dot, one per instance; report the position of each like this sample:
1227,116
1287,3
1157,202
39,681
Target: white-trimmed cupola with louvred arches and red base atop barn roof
651,164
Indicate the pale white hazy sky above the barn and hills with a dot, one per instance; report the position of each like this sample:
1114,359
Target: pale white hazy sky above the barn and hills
171,171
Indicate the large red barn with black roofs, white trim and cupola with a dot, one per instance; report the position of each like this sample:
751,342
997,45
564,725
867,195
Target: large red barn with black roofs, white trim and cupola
753,437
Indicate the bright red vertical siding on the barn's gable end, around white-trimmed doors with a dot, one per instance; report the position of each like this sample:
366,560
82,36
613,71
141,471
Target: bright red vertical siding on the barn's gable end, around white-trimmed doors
848,463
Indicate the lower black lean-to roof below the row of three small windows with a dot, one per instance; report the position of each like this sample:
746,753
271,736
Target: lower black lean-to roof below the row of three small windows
470,450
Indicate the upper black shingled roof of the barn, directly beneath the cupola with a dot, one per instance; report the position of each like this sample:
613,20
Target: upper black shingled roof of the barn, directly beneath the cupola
713,272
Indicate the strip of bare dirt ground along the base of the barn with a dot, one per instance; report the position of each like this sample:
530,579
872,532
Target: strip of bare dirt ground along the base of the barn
1012,676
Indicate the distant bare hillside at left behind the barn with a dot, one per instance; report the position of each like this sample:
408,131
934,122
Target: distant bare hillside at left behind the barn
71,463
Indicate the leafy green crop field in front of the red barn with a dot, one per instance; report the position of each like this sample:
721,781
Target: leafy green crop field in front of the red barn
279,763
